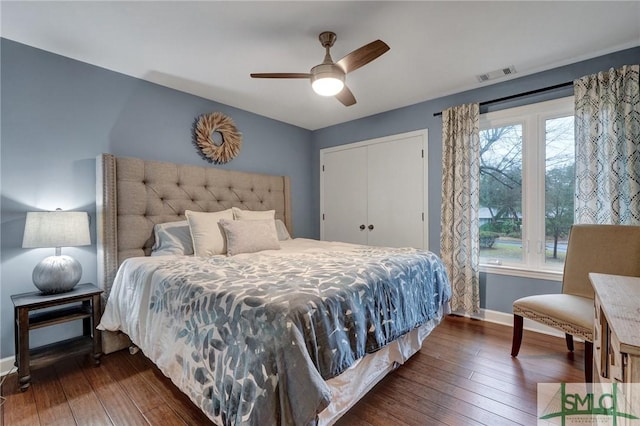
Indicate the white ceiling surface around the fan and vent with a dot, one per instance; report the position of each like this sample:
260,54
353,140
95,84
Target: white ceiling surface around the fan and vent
208,48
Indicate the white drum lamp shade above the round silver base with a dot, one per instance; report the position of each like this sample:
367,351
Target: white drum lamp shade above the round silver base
56,229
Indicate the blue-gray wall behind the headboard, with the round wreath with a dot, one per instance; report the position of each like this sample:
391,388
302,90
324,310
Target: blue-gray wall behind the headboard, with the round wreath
59,114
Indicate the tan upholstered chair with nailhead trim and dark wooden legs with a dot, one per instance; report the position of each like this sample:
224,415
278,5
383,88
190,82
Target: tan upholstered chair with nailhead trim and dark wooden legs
609,249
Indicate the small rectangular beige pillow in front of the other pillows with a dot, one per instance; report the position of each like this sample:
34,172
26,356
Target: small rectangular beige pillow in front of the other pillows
250,236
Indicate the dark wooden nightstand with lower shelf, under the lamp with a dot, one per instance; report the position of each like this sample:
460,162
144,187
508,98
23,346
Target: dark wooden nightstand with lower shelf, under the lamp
84,304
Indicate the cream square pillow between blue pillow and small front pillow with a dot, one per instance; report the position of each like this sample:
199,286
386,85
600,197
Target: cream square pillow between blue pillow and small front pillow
207,235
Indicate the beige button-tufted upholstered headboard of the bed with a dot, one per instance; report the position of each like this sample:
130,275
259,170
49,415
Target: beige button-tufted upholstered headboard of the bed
132,195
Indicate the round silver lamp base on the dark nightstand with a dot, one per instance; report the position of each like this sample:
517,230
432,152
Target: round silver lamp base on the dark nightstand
57,274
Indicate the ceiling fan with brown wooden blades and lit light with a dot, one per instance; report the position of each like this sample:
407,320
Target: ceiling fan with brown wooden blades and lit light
327,78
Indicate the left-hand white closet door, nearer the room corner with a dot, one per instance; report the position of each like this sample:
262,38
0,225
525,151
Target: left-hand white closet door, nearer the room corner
344,181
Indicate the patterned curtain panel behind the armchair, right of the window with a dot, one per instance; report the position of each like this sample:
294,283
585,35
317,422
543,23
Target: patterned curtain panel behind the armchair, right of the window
608,147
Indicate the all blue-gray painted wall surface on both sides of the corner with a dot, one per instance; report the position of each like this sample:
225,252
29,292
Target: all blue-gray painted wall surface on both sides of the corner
58,114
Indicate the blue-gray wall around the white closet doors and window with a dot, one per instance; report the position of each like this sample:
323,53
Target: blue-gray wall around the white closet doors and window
497,291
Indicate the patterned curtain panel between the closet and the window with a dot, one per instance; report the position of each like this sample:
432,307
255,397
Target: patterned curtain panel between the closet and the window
459,244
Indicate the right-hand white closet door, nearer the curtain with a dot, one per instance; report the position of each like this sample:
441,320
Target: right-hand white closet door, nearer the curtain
396,193
